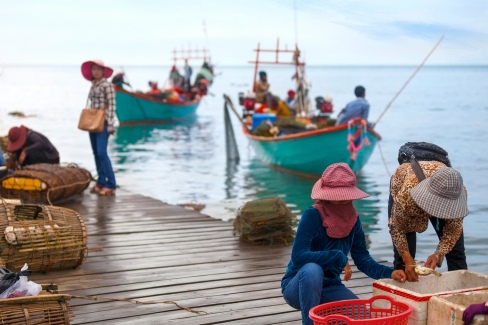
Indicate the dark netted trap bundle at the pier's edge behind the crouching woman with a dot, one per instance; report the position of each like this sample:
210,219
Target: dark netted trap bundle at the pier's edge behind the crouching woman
265,221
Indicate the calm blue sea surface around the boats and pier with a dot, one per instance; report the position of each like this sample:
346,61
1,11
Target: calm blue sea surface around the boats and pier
186,162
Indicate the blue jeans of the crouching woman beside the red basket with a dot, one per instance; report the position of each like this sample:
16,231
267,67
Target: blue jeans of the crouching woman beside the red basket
305,291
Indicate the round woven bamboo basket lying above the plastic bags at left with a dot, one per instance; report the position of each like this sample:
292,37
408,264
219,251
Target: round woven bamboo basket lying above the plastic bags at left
45,237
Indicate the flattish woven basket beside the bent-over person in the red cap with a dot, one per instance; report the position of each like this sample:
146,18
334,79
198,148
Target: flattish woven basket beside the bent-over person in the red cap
45,183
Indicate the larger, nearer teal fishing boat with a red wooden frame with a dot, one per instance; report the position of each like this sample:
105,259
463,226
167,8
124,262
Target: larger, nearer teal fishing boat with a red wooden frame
312,148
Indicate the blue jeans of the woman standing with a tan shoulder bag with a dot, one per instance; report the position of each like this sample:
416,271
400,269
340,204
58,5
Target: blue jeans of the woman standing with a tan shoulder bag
99,142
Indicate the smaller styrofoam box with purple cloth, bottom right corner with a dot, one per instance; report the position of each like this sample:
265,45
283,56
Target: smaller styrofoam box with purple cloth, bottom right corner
449,309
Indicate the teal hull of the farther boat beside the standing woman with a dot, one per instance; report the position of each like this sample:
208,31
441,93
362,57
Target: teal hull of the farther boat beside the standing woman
134,108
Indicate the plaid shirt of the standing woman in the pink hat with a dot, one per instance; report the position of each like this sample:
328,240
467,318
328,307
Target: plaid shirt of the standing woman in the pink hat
102,95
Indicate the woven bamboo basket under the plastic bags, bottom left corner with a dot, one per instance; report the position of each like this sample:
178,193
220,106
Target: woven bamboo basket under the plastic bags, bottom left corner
47,308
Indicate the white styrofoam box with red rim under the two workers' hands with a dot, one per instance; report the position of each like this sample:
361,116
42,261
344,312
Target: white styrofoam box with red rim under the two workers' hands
417,294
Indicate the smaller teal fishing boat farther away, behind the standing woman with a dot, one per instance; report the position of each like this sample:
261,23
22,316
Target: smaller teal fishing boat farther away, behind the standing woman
170,104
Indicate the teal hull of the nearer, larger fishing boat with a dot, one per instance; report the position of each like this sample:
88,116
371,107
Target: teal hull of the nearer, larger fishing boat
312,151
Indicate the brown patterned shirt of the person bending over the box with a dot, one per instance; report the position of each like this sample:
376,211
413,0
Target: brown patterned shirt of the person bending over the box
407,216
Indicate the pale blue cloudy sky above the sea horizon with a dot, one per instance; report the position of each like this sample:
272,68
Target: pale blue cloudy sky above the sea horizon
328,32
